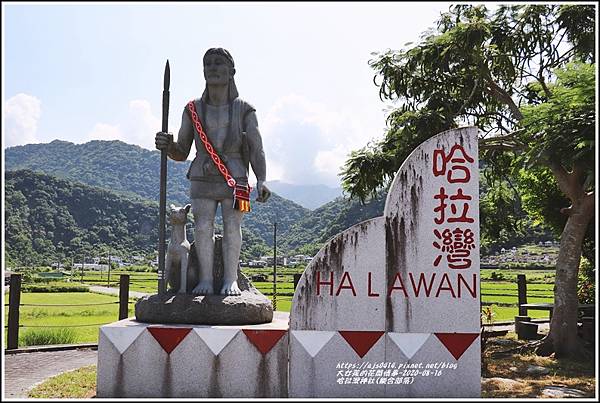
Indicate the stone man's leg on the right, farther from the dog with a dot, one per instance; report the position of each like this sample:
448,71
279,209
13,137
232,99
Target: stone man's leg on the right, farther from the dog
232,244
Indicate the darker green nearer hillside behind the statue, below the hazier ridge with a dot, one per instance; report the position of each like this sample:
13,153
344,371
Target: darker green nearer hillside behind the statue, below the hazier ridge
50,219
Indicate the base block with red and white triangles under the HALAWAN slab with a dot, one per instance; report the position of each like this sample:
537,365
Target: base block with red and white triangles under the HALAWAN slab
377,364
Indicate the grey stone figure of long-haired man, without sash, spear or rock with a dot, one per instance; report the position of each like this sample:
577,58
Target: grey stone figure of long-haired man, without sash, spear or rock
232,128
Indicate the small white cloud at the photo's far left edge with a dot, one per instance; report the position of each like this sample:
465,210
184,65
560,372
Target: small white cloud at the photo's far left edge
21,115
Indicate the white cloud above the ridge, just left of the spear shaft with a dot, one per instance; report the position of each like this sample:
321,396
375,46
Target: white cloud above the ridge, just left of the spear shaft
139,126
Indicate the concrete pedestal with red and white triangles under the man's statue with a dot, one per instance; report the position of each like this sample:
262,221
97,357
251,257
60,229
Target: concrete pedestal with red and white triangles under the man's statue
153,360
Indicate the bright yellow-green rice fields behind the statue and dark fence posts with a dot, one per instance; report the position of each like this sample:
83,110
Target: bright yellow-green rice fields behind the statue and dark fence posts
501,295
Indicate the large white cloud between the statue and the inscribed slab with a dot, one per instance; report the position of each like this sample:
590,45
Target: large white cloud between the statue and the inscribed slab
308,142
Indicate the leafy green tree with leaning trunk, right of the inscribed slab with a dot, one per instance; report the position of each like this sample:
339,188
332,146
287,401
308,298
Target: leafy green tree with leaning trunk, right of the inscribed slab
524,75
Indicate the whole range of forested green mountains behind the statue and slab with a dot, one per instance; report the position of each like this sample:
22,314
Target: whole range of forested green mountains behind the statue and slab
104,188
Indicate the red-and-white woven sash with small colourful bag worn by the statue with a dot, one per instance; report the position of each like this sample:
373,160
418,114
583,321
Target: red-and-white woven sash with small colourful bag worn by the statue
241,192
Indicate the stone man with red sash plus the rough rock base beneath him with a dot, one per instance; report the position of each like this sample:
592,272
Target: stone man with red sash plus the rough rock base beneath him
224,130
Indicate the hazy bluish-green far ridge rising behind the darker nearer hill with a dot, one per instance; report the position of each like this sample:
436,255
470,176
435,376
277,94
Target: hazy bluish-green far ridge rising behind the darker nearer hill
134,172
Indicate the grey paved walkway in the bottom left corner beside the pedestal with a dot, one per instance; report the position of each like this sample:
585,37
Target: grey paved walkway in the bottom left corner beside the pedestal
22,371
